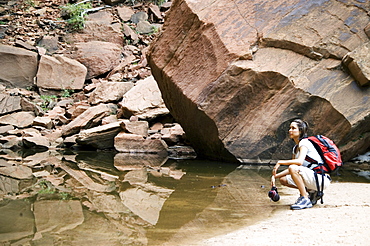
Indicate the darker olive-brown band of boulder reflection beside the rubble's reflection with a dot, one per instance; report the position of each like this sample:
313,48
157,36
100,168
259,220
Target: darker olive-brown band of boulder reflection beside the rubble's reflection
193,194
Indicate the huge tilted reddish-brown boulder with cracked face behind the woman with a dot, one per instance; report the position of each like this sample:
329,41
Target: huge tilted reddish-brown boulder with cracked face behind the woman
235,73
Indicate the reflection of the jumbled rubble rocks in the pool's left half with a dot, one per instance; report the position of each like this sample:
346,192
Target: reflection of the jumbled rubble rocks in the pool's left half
114,204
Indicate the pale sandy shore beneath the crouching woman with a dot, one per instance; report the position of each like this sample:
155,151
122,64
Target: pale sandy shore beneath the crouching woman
343,219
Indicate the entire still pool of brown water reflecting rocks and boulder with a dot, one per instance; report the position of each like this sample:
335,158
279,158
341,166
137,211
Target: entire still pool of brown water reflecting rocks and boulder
105,198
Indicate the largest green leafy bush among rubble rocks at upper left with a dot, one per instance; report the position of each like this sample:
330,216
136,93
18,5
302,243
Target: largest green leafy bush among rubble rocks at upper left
76,15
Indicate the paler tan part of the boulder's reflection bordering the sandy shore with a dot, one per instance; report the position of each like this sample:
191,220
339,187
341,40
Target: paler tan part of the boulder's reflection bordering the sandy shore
239,201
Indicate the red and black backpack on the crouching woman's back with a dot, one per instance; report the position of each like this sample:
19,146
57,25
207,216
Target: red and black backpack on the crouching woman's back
329,153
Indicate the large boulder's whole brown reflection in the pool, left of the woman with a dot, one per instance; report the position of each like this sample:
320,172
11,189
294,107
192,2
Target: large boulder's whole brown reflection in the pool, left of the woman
212,203
